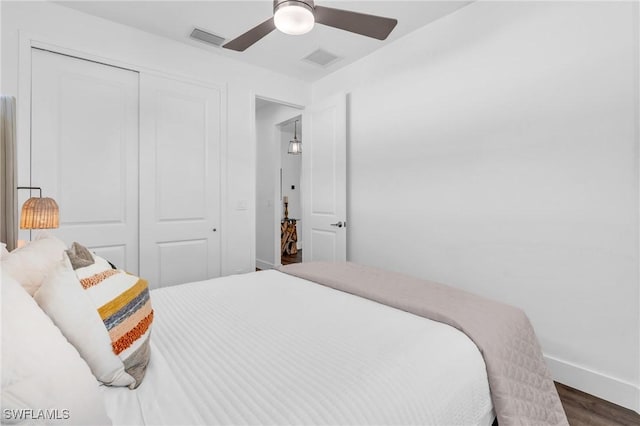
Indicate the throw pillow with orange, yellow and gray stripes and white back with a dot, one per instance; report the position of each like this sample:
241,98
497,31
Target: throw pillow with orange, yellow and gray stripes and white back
105,313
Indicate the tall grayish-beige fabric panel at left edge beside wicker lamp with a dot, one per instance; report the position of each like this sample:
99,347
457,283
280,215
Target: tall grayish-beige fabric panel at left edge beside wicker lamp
8,161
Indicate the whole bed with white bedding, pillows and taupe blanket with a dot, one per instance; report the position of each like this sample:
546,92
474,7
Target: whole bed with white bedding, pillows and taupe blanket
338,344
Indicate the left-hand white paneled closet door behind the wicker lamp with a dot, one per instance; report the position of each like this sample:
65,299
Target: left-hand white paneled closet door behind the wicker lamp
84,151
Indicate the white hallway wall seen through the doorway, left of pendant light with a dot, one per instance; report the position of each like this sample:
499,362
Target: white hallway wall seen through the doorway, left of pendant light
268,156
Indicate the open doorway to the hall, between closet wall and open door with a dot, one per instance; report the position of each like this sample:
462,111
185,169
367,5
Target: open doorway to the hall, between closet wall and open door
278,227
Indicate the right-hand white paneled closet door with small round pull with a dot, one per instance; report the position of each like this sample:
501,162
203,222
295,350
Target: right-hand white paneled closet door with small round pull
179,181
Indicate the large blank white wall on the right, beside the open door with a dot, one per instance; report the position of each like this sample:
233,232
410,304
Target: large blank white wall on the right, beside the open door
496,150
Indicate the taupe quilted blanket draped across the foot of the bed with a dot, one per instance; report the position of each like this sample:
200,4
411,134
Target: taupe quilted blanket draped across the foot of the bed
521,387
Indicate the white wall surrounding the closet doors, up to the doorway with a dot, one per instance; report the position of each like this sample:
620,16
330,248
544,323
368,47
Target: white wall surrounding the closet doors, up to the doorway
70,29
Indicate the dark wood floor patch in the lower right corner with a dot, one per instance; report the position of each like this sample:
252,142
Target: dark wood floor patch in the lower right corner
587,410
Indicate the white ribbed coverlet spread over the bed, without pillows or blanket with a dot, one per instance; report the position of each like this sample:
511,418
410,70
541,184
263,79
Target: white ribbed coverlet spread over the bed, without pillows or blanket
269,348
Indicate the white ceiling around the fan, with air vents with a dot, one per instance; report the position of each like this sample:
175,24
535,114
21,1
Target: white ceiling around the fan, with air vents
277,51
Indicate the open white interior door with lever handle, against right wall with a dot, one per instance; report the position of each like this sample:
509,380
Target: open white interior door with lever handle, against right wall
324,171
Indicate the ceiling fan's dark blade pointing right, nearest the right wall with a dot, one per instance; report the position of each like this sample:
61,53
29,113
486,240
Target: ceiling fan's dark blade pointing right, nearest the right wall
368,25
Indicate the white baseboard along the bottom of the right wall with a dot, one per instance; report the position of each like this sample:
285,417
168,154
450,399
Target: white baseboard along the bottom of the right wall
606,387
